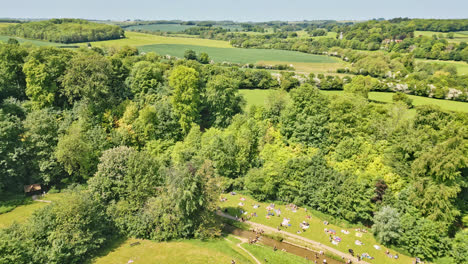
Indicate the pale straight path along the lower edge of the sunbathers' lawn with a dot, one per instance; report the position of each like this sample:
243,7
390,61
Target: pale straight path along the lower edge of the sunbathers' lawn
296,237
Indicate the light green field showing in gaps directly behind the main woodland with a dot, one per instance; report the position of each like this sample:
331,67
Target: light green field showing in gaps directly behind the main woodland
258,97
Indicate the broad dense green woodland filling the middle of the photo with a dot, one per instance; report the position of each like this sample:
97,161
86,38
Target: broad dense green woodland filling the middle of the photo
145,146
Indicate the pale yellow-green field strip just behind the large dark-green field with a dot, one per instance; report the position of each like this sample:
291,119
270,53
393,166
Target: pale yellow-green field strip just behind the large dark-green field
142,39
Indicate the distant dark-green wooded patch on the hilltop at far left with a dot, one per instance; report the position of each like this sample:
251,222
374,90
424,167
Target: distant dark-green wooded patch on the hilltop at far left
64,31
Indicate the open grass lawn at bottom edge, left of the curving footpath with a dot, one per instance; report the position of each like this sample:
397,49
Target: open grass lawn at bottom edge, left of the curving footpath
183,251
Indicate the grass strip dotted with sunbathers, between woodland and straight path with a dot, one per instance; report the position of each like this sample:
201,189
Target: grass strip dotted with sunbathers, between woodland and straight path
316,230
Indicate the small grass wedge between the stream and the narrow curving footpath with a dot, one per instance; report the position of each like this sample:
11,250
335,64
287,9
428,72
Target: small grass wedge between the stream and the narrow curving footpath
262,252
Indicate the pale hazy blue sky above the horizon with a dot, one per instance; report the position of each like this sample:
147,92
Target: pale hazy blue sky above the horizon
237,10
